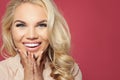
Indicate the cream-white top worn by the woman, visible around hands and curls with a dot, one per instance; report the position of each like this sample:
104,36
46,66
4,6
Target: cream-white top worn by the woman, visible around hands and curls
11,69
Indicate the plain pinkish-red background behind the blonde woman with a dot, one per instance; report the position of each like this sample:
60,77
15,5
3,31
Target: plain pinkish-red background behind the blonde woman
95,29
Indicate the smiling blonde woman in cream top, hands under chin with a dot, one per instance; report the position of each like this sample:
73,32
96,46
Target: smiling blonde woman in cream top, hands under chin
37,39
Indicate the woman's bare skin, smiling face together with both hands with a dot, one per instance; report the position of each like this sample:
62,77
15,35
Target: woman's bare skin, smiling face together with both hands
29,33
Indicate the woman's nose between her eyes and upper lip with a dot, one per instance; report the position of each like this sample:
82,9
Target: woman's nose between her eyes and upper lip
32,34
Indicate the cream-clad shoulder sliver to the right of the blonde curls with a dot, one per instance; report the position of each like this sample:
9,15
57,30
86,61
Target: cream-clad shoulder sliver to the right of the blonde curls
77,72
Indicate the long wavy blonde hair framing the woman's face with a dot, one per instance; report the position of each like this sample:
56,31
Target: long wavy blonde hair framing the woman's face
59,38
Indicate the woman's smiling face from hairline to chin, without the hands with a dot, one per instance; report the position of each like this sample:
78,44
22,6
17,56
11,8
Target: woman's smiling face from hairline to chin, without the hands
29,28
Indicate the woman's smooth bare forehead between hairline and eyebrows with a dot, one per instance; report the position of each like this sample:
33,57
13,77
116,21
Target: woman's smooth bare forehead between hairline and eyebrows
29,10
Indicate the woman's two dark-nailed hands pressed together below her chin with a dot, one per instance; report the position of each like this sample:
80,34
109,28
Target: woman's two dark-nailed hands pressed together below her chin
33,67
